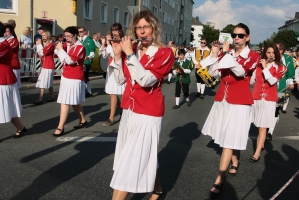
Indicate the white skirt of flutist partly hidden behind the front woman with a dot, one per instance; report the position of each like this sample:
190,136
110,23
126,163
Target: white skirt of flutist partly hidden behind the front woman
111,87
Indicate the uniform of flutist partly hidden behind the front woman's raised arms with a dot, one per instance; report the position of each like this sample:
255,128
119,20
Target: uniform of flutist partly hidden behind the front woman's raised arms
111,87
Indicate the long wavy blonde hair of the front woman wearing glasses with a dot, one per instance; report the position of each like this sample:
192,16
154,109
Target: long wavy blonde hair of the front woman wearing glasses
150,17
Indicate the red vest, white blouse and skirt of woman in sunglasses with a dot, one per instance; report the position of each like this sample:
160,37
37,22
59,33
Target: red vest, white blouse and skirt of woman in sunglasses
233,99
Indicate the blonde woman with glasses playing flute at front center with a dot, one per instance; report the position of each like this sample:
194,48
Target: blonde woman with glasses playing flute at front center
145,66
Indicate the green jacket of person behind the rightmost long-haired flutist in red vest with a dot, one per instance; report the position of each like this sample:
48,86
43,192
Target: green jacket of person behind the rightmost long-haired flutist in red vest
288,75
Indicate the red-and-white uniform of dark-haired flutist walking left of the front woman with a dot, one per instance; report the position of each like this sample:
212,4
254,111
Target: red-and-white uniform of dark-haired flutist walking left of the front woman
72,88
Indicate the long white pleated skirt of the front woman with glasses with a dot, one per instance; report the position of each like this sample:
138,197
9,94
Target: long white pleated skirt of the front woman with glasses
135,161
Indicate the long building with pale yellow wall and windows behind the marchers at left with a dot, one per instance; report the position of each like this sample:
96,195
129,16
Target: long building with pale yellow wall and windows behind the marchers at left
97,16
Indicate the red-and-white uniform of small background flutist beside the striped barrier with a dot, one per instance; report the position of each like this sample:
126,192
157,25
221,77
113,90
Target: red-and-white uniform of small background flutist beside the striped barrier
46,53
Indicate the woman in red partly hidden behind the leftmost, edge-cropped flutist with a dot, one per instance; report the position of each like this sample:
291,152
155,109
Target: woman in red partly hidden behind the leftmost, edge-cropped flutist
14,44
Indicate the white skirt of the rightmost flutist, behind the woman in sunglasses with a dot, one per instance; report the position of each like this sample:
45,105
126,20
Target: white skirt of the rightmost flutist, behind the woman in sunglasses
263,113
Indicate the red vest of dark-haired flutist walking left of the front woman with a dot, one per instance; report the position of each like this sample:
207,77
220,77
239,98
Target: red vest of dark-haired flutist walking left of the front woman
75,70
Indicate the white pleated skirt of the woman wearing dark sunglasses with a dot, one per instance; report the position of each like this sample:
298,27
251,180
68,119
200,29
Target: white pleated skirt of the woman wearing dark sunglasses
228,125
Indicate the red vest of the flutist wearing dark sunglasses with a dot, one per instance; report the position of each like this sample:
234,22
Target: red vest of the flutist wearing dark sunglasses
236,90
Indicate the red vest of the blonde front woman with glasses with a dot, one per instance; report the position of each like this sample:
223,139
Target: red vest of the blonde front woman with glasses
148,100
